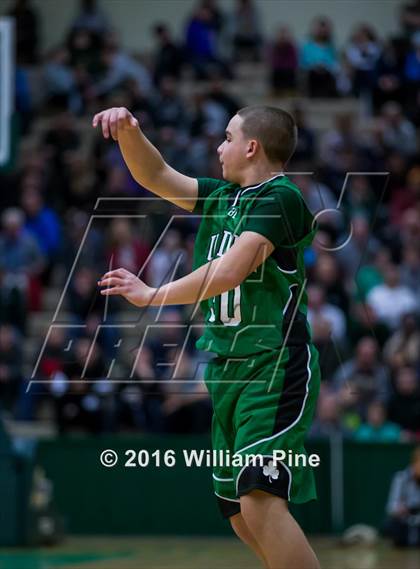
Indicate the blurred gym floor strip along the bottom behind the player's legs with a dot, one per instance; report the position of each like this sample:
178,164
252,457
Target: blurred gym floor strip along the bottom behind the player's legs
191,553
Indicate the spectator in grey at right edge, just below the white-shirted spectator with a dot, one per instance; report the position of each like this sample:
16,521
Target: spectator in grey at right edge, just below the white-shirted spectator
403,347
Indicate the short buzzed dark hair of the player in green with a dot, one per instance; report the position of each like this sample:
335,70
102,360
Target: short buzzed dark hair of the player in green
274,128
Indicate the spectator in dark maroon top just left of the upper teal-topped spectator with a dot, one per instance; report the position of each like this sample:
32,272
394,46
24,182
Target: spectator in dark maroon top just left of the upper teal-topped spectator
283,59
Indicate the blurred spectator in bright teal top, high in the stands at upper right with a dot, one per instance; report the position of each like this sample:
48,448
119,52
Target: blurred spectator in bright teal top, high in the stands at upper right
319,60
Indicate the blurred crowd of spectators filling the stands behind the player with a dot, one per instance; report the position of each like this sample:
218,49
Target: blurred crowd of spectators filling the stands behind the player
363,267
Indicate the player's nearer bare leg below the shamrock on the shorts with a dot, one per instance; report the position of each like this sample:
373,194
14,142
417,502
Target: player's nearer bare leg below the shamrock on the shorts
281,540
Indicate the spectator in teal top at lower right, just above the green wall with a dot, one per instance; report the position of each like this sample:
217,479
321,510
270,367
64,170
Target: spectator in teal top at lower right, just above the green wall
377,428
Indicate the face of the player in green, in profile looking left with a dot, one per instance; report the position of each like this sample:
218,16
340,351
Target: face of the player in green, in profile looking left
233,150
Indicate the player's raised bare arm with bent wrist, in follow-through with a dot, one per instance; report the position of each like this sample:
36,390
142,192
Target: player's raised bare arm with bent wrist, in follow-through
144,160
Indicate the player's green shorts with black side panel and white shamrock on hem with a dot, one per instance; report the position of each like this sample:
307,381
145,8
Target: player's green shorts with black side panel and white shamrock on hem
263,404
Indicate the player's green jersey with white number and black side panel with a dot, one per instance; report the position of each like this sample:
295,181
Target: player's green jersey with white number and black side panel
268,309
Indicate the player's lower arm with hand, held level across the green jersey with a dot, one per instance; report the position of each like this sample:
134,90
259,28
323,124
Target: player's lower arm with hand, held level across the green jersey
220,275
